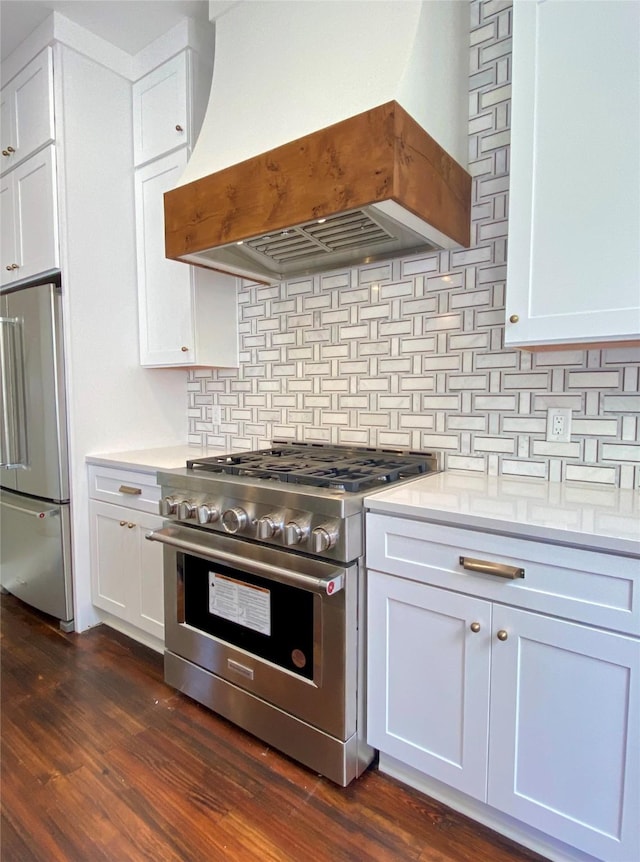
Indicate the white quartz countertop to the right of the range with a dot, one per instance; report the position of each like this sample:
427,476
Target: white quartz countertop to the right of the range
586,516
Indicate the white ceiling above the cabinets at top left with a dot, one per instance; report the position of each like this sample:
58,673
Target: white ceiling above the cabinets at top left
128,24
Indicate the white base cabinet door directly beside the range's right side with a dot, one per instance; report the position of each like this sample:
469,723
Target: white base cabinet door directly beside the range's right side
428,679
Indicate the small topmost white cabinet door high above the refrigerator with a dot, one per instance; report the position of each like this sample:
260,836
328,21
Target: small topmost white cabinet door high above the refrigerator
26,116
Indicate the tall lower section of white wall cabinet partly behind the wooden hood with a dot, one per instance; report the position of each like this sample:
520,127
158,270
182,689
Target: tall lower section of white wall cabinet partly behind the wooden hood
187,316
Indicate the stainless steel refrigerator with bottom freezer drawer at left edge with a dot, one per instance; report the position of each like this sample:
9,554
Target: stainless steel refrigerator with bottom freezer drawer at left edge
35,525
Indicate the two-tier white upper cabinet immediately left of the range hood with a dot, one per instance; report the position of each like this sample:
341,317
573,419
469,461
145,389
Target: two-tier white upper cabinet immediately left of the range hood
187,315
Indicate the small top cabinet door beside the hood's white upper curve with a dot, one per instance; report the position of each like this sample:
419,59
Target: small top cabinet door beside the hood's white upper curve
161,115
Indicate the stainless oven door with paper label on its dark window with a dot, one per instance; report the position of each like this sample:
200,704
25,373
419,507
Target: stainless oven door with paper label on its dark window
274,623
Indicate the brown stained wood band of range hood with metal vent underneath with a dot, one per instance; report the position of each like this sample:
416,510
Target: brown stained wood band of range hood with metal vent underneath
367,188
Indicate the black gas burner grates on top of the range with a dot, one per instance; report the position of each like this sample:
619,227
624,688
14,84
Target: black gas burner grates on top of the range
341,468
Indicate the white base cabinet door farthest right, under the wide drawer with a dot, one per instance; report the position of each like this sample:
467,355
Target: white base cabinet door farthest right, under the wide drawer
565,715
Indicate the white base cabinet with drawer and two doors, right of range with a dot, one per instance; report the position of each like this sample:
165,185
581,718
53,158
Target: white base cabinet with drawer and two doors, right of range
534,715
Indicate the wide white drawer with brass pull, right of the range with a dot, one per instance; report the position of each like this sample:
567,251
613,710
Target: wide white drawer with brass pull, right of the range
586,586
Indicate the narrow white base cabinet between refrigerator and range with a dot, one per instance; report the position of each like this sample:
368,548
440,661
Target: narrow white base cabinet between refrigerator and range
126,569
